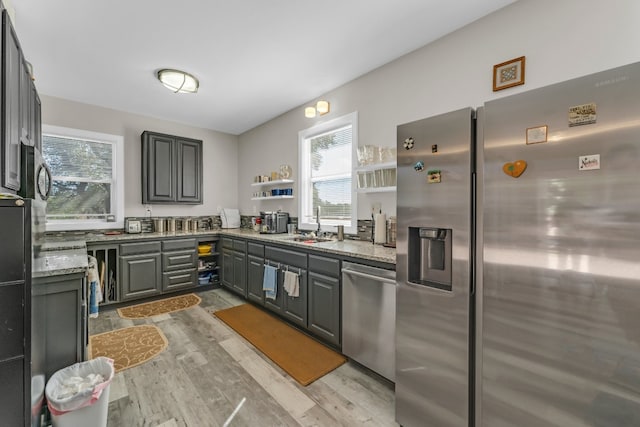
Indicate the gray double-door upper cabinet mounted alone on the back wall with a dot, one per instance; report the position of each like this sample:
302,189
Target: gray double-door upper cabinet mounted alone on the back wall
171,169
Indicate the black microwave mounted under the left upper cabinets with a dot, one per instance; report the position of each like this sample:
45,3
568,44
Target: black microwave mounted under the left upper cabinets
35,176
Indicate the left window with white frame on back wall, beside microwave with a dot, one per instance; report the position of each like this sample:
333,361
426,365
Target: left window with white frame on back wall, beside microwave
87,171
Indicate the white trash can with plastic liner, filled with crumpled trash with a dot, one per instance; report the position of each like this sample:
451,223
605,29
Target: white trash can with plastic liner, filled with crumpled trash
78,395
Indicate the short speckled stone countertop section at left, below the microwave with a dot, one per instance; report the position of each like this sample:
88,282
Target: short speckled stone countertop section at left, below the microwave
60,257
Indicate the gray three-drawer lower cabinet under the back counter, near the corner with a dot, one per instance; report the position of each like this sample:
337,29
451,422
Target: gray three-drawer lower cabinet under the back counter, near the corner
179,264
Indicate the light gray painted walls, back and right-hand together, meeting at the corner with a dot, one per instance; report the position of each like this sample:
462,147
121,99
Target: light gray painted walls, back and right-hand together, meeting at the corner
561,40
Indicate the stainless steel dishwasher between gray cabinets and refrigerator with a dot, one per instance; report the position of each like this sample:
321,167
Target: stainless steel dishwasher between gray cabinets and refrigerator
369,317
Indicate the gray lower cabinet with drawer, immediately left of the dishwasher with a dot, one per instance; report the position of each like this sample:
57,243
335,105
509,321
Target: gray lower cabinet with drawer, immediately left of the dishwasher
324,298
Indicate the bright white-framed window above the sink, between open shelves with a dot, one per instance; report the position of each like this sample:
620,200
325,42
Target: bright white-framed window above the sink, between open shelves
326,153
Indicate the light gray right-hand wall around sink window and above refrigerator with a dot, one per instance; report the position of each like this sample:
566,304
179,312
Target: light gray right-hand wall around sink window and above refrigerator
560,39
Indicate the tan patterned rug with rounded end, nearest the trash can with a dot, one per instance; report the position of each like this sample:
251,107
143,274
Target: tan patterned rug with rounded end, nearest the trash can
128,347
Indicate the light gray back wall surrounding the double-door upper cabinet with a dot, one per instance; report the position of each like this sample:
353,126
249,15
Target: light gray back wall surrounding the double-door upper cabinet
220,153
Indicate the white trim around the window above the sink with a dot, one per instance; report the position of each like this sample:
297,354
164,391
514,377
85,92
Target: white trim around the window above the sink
303,162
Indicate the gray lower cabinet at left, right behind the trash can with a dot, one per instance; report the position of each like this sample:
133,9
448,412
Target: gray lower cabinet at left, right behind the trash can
59,330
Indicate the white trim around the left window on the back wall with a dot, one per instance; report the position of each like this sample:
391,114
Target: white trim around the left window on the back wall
117,199
